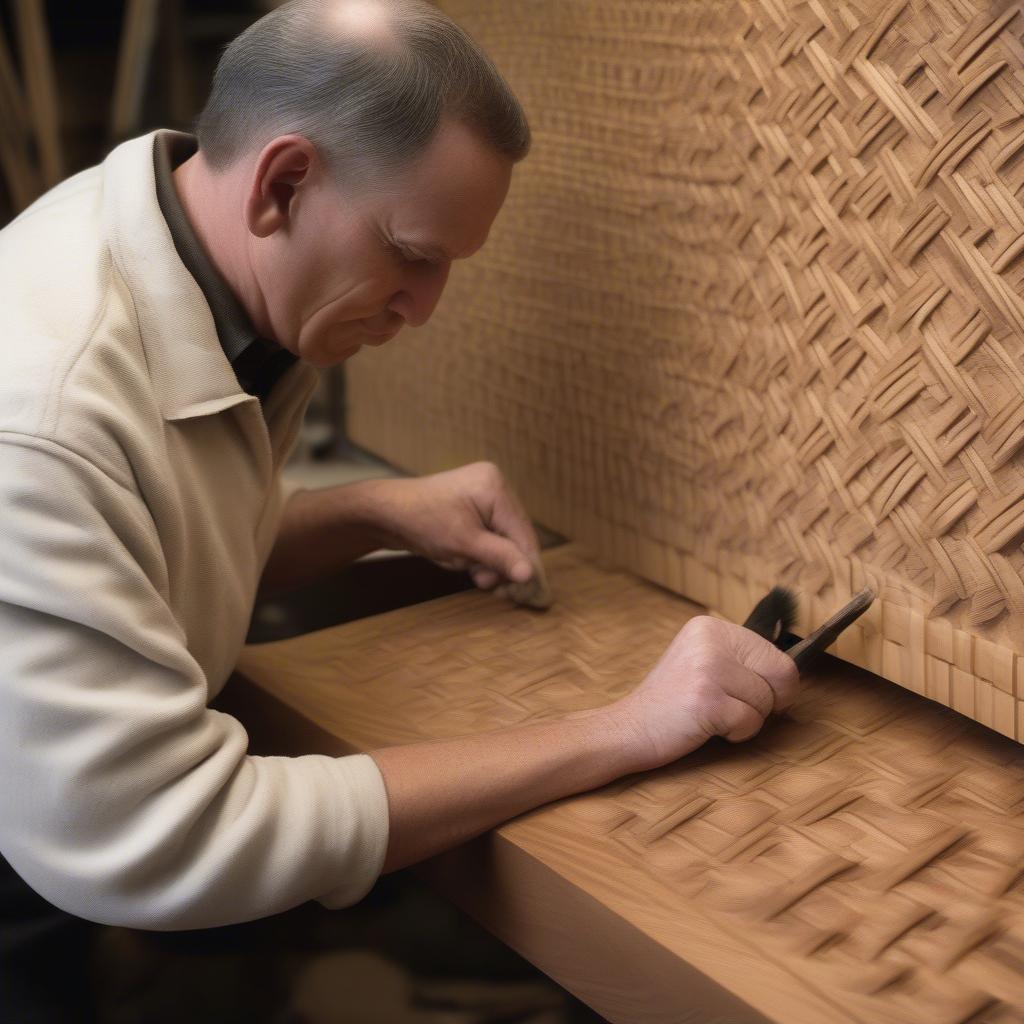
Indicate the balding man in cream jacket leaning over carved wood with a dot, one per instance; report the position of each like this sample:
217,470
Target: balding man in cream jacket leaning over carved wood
164,316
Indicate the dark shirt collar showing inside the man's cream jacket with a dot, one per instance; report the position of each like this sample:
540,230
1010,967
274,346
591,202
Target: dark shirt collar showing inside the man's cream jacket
258,361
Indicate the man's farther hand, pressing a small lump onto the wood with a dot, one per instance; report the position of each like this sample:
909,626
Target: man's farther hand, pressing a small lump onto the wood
466,519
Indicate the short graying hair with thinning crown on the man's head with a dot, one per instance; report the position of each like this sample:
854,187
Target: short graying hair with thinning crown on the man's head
369,109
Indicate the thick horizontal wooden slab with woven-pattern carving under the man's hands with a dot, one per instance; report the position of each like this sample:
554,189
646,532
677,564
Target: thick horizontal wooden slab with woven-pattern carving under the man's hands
863,861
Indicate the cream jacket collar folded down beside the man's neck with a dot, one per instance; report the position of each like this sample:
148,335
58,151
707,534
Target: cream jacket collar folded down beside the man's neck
192,374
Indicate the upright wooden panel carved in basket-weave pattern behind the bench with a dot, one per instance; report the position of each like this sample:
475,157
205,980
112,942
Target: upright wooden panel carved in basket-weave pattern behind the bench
754,314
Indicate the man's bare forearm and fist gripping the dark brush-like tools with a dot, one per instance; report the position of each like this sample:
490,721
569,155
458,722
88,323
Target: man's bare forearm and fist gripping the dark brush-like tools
715,679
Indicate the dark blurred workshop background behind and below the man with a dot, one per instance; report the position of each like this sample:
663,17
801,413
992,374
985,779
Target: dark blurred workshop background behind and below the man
76,78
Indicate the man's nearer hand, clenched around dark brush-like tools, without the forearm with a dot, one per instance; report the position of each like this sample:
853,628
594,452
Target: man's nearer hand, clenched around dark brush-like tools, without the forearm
715,679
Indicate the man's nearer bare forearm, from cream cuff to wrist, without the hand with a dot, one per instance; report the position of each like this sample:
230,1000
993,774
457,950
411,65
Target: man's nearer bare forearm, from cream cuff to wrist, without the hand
442,794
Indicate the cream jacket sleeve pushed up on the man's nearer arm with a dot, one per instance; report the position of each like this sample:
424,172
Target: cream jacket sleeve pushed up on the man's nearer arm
124,799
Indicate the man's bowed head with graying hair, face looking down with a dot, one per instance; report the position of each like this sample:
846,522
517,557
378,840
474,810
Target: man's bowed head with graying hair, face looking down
361,146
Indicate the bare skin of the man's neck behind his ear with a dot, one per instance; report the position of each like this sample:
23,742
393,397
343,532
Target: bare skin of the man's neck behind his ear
211,202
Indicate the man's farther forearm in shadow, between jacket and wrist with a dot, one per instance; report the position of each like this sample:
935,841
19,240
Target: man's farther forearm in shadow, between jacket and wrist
322,532
